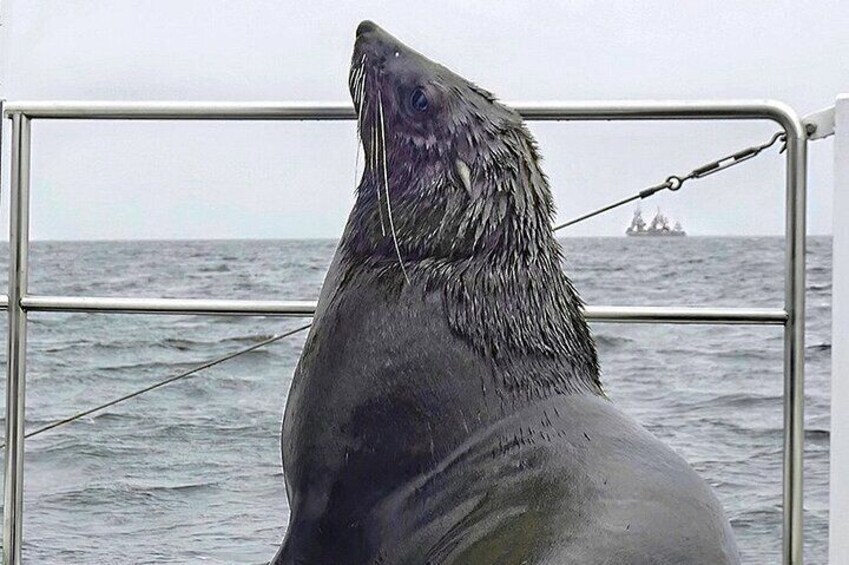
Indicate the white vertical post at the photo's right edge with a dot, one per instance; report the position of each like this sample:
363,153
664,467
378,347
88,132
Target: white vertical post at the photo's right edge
838,535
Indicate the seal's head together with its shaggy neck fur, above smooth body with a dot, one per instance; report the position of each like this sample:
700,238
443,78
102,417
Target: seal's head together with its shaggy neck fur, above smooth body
452,194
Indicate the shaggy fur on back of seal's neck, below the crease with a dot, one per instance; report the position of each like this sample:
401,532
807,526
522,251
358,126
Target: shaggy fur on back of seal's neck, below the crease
525,315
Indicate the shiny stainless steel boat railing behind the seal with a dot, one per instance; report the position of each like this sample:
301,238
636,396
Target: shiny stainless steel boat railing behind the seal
19,302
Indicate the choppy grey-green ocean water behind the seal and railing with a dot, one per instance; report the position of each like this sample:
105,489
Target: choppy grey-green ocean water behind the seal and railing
191,473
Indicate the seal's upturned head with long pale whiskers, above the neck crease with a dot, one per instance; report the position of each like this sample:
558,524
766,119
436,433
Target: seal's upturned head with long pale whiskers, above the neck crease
459,168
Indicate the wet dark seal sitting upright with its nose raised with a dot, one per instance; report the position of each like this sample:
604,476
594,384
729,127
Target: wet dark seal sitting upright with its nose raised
447,406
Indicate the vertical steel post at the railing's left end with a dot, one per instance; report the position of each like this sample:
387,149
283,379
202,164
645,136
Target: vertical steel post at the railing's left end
16,345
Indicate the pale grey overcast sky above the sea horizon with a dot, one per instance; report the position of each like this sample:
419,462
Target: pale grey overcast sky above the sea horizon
154,180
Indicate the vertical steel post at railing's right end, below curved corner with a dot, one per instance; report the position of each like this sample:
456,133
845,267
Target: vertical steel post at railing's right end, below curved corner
794,347
